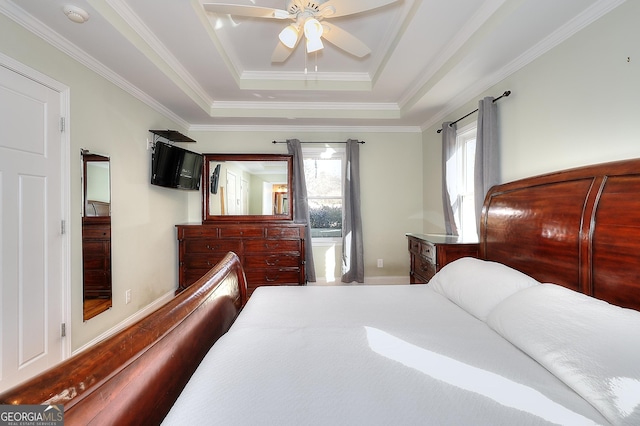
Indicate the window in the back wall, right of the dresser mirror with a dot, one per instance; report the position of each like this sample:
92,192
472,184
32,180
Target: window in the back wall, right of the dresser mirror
323,175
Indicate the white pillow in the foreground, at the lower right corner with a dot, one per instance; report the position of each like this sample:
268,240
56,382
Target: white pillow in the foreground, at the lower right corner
592,346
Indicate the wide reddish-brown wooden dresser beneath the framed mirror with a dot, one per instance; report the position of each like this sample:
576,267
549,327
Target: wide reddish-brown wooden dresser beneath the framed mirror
272,253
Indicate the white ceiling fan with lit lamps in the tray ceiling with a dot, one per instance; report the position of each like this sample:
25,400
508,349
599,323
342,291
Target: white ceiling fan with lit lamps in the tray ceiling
307,16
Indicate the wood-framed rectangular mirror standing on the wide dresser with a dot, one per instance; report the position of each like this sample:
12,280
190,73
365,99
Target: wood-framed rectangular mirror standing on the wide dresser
247,187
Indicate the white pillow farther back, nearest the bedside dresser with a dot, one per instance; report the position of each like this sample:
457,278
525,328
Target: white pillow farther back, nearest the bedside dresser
477,286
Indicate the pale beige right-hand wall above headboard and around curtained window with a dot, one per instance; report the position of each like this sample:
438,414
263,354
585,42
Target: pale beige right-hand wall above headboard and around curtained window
577,104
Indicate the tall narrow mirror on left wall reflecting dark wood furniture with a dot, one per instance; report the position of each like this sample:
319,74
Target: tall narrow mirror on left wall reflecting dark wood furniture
96,234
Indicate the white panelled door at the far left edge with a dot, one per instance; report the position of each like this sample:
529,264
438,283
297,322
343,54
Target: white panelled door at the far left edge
33,247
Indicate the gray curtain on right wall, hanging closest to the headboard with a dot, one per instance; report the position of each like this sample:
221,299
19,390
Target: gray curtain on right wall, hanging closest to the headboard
487,161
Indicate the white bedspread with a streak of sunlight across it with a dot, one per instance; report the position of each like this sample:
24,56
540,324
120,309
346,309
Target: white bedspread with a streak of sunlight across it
370,355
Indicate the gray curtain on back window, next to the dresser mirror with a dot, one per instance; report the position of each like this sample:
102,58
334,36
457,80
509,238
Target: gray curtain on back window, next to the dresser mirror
301,205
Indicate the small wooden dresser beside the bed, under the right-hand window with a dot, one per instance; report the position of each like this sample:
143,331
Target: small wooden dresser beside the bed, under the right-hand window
430,252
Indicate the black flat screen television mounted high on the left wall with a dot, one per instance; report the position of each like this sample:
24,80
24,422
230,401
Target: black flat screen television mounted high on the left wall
175,167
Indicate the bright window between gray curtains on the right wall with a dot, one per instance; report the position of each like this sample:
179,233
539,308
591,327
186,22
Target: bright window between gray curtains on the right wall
464,204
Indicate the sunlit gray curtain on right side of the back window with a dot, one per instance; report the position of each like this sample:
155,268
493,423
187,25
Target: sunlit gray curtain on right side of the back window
352,248
